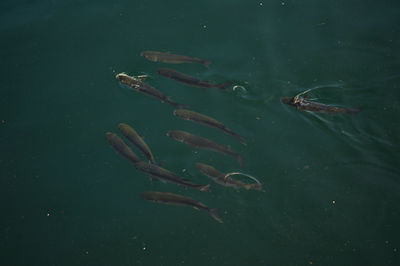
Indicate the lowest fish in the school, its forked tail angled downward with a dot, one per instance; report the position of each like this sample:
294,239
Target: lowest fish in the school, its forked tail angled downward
170,198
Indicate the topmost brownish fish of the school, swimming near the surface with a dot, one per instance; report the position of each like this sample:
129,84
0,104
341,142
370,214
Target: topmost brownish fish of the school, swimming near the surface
167,57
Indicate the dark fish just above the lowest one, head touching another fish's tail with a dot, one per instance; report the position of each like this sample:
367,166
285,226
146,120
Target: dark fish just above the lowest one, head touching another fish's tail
166,175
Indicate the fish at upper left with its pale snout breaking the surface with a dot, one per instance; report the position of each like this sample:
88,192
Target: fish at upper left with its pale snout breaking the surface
144,88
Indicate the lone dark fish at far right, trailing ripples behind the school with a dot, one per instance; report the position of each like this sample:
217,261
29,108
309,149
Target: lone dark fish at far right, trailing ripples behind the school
304,105
